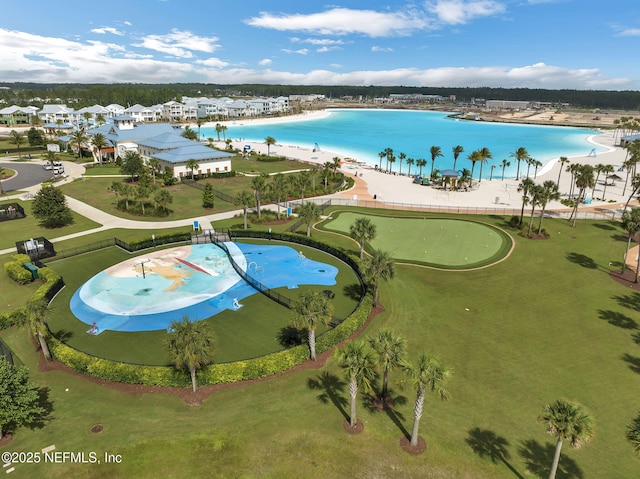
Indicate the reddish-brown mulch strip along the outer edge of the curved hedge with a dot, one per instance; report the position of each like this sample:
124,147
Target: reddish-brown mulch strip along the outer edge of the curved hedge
203,392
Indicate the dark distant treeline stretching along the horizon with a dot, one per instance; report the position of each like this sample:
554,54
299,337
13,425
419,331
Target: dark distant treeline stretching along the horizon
81,95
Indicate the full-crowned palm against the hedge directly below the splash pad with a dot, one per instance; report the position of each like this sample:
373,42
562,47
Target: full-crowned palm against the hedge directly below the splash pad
190,346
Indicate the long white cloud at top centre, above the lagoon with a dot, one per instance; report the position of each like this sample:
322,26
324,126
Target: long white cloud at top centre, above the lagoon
343,21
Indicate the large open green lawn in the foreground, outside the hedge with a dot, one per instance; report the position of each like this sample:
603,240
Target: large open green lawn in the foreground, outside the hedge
546,323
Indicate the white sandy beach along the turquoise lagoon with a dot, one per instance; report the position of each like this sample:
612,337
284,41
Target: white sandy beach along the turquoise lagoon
494,193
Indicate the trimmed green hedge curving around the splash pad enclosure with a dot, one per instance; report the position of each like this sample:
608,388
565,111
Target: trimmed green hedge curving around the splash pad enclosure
219,373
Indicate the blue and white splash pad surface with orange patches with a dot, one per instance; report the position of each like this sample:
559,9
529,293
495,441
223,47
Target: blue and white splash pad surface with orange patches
206,285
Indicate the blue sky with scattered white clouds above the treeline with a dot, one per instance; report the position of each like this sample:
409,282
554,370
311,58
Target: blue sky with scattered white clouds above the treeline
556,44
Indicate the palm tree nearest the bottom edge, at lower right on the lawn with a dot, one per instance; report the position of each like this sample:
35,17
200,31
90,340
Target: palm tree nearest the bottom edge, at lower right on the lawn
566,421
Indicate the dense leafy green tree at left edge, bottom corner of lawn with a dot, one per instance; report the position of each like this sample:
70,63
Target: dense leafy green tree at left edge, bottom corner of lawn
19,398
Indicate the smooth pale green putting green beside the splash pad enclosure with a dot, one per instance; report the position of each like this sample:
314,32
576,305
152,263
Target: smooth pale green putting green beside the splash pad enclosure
438,242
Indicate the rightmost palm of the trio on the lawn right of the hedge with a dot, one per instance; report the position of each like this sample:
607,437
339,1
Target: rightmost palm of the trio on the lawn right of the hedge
429,374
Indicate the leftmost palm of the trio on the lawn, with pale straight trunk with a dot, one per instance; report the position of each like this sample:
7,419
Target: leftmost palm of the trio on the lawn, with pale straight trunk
358,363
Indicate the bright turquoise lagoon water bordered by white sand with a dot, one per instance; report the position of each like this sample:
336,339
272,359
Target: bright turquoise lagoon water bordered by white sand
362,134
